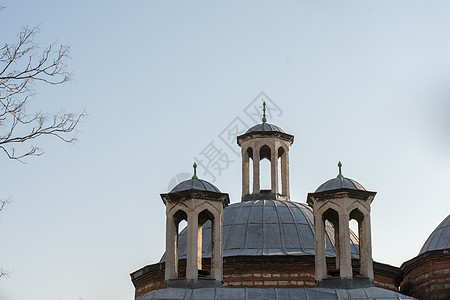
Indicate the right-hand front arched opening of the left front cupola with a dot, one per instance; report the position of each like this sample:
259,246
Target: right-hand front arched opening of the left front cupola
204,270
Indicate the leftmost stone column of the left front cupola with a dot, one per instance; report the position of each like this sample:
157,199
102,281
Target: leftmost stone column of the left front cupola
171,264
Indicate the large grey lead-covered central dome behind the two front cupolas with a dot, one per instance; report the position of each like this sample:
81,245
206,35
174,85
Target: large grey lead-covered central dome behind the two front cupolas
267,227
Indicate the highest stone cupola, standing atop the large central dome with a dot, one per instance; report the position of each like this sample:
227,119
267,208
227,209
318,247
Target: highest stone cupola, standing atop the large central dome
265,141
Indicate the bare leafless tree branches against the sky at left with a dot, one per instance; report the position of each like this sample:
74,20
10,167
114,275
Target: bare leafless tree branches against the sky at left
23,65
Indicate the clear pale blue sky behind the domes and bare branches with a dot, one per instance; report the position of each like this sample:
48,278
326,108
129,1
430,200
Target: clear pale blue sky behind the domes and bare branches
362,82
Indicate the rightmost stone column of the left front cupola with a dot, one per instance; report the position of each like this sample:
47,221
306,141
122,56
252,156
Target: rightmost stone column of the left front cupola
216,248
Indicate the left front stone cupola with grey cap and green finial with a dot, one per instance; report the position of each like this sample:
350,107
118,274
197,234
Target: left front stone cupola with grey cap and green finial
195,201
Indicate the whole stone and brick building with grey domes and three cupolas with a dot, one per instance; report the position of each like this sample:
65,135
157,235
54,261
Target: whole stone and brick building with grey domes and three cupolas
267,245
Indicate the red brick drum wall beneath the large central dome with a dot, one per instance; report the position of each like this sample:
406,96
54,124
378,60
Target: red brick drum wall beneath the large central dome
262,272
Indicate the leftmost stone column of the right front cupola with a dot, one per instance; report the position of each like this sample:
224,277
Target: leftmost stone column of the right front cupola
319,242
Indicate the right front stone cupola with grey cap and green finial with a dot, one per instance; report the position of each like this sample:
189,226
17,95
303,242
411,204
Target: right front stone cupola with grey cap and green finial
338,201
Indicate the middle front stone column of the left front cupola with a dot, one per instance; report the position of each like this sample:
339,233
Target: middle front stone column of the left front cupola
192,247
